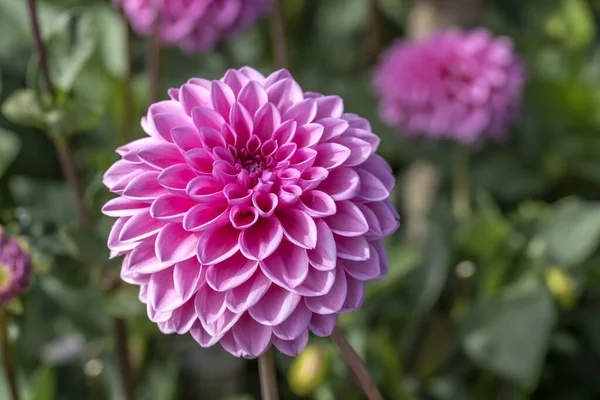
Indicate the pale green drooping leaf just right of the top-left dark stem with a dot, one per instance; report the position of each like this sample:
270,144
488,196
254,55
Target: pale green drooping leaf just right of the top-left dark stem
70,46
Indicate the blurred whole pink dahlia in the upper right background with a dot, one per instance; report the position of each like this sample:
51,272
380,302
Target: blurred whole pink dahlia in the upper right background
464,86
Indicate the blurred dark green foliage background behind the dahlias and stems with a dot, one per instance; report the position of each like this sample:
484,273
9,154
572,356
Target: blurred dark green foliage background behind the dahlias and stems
504,304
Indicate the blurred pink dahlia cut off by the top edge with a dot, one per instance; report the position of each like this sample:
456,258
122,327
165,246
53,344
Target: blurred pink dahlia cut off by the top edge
195,25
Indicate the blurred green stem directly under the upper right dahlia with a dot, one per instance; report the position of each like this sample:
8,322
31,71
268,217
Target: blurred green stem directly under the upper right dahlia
460,182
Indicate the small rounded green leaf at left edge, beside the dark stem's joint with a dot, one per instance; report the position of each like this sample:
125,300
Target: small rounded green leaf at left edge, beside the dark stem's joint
22,108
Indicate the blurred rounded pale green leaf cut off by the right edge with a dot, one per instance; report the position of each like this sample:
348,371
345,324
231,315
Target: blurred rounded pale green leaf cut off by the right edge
572,231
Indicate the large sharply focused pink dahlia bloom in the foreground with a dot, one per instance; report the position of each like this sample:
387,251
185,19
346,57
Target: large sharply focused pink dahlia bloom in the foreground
252,213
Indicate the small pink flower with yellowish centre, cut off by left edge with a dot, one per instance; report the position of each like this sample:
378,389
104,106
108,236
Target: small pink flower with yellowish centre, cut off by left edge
15,268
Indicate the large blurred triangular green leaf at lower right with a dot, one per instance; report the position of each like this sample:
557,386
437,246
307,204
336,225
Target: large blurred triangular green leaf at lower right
510,335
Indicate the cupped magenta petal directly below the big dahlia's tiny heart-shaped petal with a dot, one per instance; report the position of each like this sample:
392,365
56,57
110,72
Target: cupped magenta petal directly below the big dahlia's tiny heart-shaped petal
261,239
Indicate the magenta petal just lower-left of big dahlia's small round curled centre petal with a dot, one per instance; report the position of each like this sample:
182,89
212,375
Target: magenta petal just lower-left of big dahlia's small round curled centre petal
217,244
